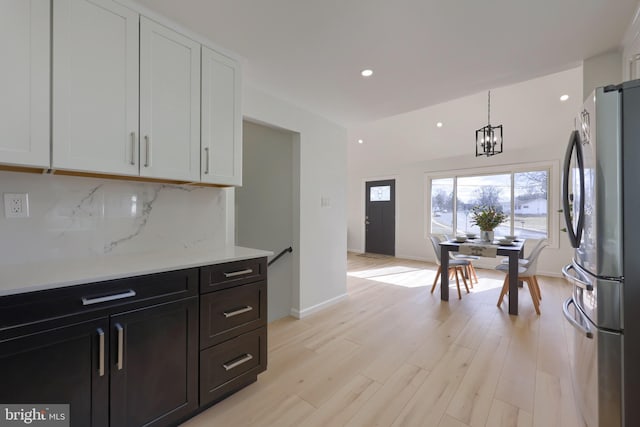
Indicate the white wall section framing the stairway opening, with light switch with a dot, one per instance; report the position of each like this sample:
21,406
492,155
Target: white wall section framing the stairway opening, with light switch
323,173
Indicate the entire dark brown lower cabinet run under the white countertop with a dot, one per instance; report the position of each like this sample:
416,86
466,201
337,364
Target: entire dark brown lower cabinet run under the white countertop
140,351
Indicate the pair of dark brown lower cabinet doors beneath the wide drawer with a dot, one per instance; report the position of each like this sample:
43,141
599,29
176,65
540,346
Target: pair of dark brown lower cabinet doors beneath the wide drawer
130,369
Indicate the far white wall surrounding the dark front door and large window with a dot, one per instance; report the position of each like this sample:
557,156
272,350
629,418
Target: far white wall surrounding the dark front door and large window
409,147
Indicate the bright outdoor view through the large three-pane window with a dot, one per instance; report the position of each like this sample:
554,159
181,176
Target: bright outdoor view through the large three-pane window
523,196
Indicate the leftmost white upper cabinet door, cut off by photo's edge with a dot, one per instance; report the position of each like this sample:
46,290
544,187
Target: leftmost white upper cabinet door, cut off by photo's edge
24,82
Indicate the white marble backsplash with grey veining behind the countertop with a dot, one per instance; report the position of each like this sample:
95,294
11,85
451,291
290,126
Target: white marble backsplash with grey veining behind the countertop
75,217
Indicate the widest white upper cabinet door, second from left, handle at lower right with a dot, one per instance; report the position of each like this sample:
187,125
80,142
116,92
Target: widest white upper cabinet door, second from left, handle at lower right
95,87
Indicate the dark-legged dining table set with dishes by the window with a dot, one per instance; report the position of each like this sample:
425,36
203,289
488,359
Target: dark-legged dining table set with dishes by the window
513,251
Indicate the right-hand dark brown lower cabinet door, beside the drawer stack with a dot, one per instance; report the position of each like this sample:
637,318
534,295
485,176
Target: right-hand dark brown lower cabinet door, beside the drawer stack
154,369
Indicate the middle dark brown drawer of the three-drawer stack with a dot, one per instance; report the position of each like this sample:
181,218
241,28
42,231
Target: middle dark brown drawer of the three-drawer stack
230,312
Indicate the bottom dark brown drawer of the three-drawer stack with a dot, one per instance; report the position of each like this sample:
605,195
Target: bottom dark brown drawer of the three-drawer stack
235,362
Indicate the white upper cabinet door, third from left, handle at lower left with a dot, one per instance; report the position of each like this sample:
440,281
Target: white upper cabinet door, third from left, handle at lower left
169,103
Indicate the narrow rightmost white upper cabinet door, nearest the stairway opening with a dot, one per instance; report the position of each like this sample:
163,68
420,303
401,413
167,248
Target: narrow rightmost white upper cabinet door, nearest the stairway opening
221,120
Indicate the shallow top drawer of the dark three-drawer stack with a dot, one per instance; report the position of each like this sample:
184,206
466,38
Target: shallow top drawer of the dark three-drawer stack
221,276
